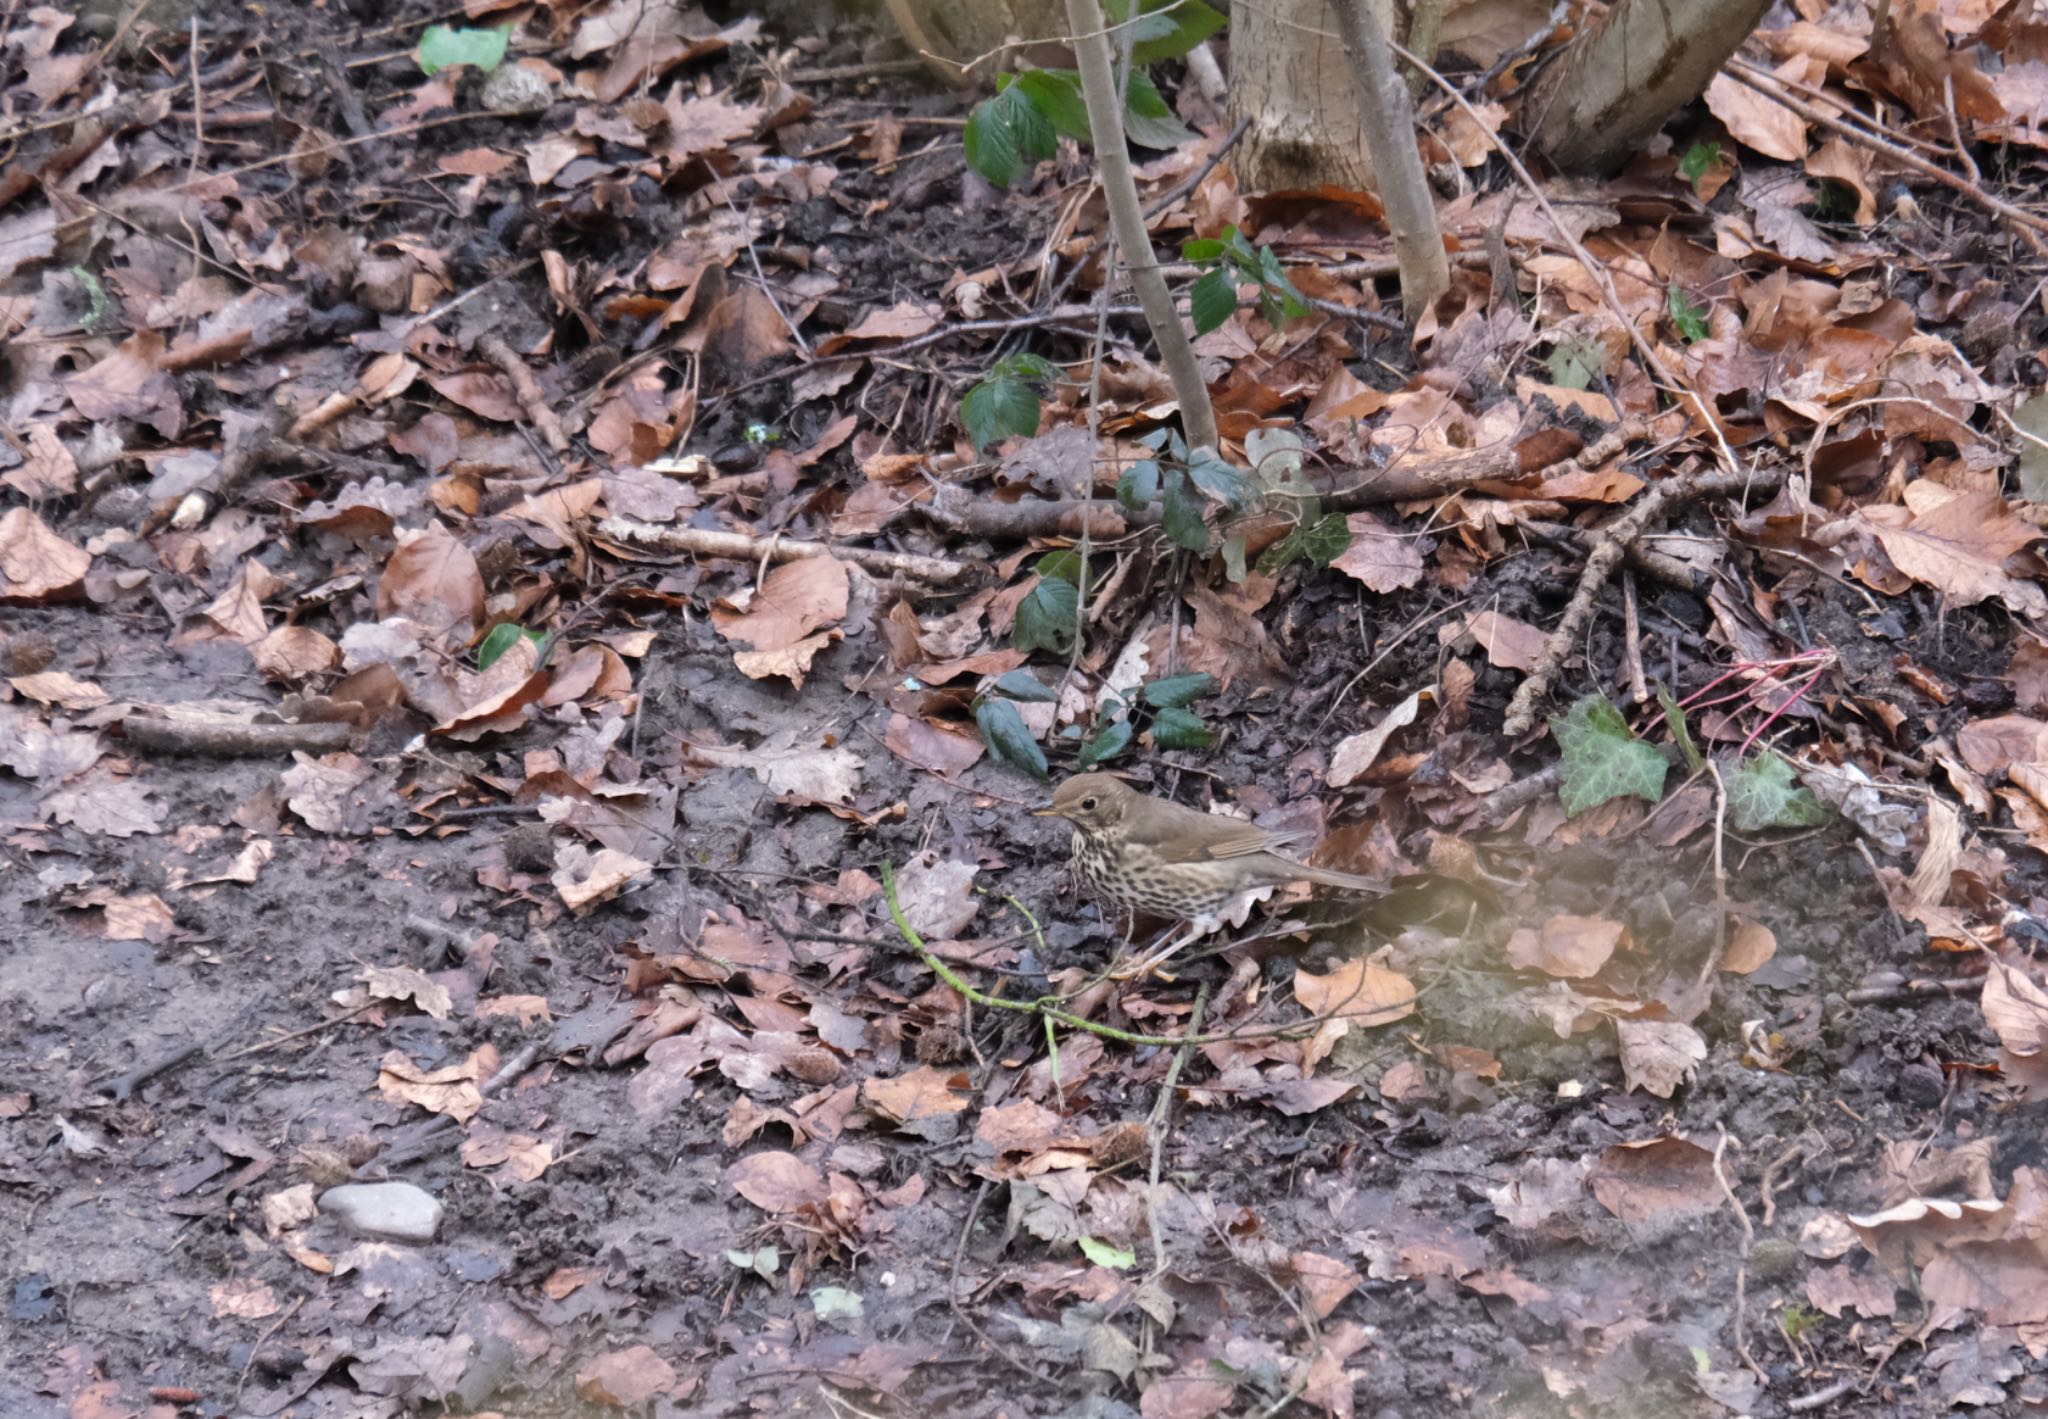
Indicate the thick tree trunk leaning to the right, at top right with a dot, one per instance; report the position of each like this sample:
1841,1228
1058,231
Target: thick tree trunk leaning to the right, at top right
1629,73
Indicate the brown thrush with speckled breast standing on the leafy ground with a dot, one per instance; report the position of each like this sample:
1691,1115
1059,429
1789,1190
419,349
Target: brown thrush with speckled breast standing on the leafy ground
1168,861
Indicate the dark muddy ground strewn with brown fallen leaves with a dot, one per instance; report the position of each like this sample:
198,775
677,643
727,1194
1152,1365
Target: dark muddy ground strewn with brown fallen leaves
1707,1094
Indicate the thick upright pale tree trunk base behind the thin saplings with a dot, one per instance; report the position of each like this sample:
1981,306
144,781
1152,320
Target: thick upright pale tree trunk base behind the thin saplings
1293,79
